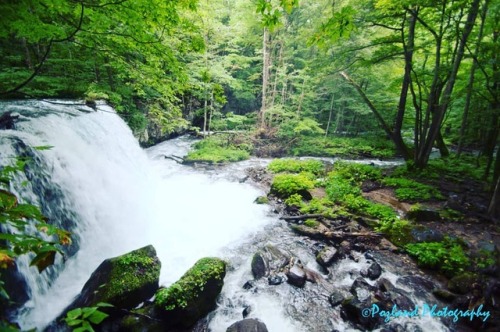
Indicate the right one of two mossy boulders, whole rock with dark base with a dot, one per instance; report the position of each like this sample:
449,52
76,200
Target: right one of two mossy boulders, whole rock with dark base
193,296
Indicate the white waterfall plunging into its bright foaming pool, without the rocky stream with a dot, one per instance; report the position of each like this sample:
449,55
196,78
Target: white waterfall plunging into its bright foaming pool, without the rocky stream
118,198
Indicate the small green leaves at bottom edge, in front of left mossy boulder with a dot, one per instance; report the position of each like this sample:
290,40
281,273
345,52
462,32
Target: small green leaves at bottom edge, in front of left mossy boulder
82,319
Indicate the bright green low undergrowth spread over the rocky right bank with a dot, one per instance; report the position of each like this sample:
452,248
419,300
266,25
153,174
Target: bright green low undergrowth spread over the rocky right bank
344,198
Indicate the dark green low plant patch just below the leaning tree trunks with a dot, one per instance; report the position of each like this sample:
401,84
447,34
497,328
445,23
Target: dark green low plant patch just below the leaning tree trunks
411,190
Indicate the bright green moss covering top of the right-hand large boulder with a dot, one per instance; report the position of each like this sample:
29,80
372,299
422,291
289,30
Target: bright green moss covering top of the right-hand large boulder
187,289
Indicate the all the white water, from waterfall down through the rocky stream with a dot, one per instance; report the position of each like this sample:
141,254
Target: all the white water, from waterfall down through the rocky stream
116,197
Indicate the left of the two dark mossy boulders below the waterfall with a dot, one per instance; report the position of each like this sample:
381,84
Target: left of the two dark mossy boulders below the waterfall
124,281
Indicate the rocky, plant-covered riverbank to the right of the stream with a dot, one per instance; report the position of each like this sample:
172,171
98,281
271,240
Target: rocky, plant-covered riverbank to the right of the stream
440,233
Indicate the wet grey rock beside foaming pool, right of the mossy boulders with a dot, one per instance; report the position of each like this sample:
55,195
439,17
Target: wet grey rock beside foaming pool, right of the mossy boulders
268,259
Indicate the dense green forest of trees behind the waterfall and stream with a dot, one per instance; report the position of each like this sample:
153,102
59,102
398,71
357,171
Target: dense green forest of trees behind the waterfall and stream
417,80
